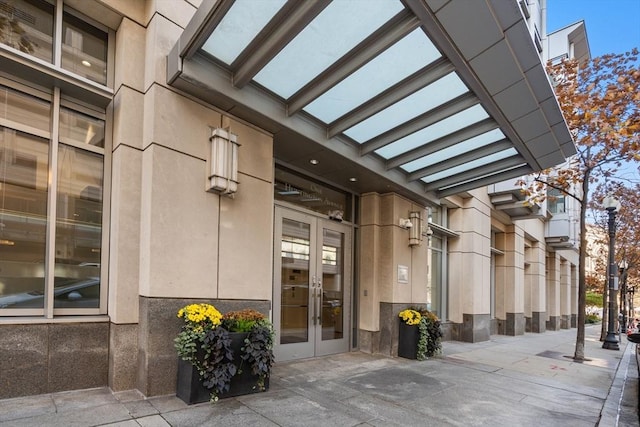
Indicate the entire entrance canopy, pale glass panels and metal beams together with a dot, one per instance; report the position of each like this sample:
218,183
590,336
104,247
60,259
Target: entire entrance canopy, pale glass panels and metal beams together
380,76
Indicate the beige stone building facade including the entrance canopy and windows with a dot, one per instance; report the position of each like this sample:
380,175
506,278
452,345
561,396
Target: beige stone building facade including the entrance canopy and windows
326,163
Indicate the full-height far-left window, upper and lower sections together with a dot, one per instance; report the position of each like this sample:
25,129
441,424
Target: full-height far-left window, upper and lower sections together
52,159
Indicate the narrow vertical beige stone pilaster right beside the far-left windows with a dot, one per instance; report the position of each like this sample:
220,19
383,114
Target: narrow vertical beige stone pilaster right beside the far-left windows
126,172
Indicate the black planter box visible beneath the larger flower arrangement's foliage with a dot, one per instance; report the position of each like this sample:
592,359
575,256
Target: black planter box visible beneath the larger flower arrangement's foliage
191,390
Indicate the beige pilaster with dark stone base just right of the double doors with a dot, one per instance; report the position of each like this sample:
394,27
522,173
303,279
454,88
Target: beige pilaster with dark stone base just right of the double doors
393,274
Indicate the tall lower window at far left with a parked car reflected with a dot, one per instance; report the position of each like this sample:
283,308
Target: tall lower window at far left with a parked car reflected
51,204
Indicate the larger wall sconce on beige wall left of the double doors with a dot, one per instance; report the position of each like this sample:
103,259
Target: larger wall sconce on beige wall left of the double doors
223,174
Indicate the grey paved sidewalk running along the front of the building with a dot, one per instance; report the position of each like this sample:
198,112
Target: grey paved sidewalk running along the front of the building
507,381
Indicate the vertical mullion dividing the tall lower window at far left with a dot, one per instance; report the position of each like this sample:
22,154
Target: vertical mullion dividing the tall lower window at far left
50,251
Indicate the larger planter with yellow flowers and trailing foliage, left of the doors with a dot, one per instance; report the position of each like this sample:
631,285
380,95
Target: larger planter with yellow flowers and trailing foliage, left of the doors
222,355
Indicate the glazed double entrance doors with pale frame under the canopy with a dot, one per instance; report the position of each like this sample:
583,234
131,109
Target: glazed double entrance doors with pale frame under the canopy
312,285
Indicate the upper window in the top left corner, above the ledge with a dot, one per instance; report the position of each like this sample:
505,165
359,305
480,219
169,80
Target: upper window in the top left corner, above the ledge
28,26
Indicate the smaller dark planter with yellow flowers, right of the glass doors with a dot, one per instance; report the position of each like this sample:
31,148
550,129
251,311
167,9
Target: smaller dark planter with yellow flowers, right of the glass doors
419,334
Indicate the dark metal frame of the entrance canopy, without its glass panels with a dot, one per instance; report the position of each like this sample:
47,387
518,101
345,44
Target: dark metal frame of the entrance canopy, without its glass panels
231,89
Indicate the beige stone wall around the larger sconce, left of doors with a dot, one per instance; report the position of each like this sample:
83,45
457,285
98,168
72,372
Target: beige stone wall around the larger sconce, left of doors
166,230
